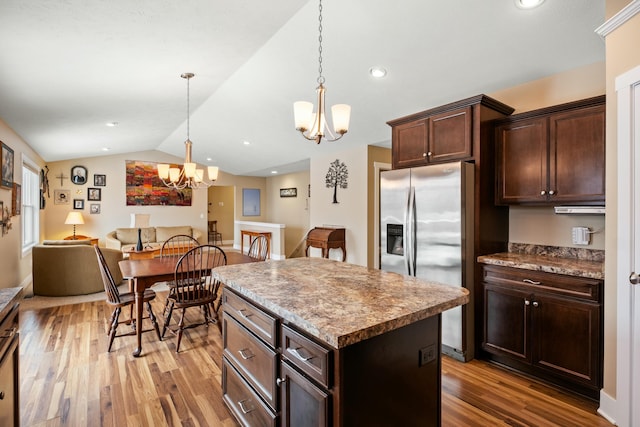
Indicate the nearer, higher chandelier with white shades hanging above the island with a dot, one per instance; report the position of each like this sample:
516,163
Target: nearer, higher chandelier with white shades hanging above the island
313,126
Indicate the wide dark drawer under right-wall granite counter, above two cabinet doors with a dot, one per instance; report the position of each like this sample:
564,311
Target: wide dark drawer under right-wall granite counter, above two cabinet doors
577,287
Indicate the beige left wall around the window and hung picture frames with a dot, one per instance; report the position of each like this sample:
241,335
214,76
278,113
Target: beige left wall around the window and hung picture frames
15,270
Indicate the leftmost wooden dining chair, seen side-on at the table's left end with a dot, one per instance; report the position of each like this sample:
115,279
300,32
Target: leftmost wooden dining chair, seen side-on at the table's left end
119,300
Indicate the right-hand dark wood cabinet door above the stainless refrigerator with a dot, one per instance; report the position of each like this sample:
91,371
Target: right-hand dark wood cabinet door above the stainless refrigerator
450,136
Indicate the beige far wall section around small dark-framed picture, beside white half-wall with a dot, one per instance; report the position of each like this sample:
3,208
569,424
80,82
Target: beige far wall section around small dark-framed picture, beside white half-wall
291,211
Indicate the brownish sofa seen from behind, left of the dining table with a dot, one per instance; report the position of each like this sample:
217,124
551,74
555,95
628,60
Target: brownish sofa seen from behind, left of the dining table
70,267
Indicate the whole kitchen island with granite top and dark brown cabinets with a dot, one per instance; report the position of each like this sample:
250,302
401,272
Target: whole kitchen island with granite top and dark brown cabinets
311,341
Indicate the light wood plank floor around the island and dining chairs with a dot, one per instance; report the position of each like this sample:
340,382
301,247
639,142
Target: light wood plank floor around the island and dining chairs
68,379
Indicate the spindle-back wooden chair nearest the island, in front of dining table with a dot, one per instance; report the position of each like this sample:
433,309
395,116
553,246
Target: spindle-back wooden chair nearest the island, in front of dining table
194,287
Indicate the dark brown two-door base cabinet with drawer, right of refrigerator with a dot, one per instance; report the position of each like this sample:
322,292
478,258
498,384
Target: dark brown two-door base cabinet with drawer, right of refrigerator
545,324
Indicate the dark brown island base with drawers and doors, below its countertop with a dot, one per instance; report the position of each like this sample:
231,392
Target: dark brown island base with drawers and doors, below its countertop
275,374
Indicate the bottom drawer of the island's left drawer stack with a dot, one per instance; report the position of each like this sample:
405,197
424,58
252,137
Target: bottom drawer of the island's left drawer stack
242,400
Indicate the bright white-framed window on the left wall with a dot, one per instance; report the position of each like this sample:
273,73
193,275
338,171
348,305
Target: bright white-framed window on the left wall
30,204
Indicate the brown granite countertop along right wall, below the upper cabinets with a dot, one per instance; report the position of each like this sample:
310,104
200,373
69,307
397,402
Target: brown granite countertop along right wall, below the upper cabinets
554,261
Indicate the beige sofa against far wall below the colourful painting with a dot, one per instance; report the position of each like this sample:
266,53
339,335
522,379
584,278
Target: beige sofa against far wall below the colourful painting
126,238
